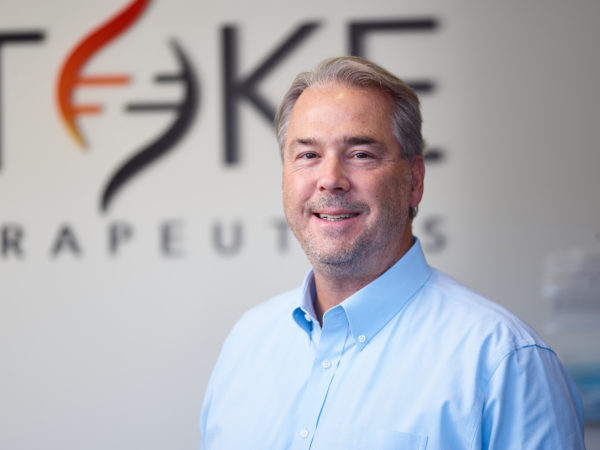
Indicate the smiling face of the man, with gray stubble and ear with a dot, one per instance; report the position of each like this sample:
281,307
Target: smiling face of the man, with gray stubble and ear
346,188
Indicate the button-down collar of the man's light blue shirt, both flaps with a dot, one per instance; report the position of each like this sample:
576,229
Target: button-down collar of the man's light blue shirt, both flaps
370,308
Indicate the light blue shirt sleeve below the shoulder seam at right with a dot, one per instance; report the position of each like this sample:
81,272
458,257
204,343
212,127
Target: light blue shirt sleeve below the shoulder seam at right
531,403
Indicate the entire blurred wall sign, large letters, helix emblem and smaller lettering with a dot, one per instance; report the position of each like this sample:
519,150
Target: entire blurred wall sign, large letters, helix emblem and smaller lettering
238,87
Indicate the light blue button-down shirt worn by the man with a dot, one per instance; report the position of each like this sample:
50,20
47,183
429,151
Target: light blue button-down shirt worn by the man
414,360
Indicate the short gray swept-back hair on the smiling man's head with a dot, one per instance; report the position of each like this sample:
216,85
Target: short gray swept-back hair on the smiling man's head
353,71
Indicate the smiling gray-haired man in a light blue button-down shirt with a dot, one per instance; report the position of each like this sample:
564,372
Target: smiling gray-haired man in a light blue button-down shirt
376,350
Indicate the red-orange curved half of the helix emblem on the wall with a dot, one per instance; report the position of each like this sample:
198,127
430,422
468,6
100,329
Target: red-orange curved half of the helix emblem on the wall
70,74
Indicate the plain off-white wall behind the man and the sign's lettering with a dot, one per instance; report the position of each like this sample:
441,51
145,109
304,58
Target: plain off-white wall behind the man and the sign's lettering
102,351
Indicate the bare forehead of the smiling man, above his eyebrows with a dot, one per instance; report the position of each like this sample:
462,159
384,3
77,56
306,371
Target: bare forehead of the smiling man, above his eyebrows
336,108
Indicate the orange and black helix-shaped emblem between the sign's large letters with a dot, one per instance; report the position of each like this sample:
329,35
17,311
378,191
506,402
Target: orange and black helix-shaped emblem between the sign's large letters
72,77
